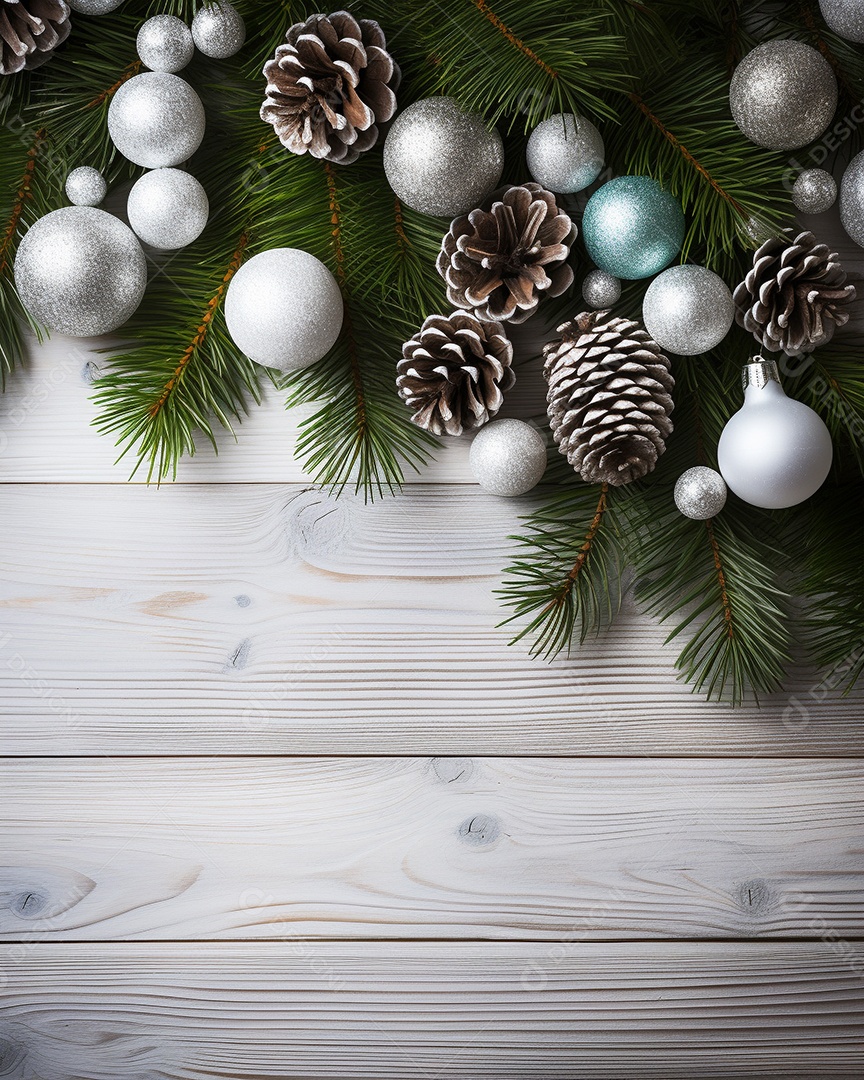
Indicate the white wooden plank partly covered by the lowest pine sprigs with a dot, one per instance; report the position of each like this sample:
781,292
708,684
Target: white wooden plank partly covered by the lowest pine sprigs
272,619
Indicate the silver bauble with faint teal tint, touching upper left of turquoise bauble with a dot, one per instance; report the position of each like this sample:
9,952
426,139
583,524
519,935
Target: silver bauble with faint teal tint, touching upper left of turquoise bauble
565,154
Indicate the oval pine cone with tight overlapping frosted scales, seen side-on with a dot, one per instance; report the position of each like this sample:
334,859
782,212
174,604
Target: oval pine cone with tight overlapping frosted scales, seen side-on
610,398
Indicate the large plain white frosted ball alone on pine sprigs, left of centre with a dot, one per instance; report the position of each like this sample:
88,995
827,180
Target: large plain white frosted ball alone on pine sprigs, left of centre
285,309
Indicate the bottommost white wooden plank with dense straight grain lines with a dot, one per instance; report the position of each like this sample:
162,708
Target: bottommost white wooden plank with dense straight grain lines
302,1010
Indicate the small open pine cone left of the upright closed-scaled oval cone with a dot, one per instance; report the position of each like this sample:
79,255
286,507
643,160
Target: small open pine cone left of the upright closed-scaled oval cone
455,373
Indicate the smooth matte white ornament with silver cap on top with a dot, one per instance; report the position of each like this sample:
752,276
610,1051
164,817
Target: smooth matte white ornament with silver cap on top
775,452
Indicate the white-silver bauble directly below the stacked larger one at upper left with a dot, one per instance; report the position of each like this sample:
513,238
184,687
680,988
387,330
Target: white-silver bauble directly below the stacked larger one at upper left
168,209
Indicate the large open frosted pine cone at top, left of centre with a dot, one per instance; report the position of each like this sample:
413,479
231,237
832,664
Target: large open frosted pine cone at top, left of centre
330,87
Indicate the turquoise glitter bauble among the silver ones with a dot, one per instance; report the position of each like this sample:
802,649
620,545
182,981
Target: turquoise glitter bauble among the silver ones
632,227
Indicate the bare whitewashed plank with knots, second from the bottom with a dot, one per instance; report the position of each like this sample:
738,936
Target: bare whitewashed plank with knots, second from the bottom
501,848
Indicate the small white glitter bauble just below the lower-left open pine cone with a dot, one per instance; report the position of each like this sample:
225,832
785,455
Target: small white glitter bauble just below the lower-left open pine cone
508,457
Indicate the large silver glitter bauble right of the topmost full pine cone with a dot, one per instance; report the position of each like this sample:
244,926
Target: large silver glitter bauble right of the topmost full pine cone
441,160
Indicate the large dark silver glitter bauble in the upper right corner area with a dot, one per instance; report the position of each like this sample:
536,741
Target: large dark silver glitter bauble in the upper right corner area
784,96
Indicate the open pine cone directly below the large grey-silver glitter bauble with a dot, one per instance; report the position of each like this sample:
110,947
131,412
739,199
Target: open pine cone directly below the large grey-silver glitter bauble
501,261
